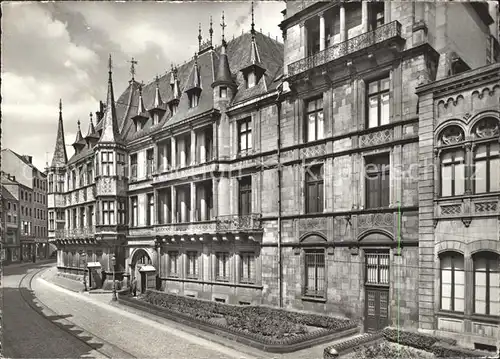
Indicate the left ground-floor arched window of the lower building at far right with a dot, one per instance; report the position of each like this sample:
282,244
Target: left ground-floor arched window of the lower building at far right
452,282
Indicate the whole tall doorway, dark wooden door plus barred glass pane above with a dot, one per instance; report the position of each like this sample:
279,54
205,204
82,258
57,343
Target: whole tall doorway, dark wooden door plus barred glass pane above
376,290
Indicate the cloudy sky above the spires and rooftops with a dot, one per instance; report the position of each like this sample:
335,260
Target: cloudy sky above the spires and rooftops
60,50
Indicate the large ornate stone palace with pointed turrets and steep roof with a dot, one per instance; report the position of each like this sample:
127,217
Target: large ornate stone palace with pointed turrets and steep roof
281,174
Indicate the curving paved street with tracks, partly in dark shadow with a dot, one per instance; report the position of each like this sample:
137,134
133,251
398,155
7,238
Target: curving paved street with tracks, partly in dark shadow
104,331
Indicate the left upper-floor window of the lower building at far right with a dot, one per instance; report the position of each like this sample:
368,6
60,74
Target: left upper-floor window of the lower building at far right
453,173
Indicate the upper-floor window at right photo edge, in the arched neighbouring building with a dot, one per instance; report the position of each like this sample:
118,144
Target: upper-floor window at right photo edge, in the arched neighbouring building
487,168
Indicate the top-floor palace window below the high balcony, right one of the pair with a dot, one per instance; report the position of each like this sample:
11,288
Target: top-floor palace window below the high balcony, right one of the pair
378,103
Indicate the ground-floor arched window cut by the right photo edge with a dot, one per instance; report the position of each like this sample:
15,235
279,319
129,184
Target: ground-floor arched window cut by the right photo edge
487,283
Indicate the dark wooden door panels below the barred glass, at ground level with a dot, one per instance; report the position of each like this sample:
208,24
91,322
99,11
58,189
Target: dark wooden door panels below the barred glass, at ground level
376,309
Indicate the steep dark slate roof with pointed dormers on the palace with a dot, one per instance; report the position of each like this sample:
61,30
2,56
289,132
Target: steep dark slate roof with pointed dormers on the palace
239,56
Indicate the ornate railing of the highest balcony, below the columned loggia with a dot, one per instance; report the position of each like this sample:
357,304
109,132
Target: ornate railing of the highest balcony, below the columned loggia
384,33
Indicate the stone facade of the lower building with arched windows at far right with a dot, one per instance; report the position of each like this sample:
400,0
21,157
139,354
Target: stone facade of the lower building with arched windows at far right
466,223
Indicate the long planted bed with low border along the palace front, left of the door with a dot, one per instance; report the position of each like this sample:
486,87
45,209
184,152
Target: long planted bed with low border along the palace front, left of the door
266,322
